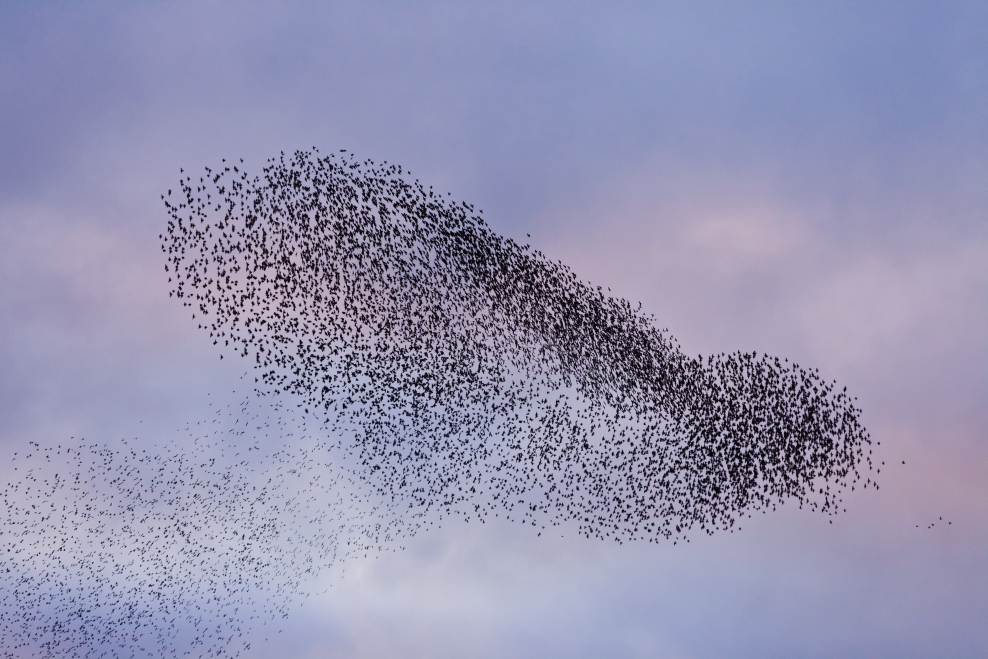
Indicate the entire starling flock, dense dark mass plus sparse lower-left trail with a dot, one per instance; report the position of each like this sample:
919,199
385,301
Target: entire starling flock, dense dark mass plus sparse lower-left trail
407,361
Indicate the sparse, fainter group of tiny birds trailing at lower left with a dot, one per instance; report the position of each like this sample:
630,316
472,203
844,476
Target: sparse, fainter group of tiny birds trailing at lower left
193,548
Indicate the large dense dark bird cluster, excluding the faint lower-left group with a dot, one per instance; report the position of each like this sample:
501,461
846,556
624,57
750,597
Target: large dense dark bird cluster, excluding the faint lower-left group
462,371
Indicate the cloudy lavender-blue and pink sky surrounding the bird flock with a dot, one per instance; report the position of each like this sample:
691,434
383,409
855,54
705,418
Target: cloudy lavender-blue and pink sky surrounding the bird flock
804,179
